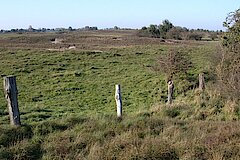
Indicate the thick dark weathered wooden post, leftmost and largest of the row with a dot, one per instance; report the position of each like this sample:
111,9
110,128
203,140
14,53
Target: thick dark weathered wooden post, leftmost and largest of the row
10,89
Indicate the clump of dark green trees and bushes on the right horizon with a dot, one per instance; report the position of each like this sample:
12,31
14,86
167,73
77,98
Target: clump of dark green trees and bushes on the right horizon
167,30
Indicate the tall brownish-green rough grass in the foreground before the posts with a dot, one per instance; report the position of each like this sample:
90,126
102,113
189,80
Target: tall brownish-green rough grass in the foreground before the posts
147,135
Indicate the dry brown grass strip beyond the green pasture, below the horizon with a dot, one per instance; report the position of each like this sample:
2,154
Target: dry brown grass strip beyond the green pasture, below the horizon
83,40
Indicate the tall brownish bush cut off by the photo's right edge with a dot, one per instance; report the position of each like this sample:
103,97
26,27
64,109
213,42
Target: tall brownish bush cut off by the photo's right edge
228,70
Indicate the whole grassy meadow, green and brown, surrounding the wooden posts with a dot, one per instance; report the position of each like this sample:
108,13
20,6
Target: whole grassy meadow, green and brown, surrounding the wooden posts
68,110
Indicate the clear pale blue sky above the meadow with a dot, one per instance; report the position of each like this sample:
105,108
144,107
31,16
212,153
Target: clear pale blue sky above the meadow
205,14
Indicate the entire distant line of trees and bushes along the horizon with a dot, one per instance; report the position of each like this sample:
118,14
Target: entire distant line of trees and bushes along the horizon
165,30
